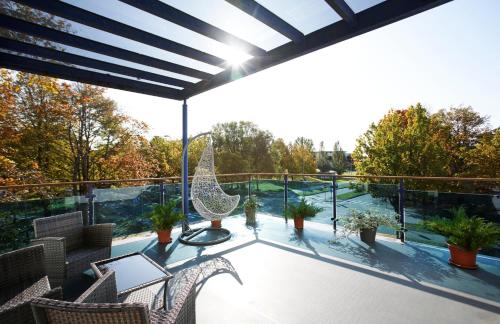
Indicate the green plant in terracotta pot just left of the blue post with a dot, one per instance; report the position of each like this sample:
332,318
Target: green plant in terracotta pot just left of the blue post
164,218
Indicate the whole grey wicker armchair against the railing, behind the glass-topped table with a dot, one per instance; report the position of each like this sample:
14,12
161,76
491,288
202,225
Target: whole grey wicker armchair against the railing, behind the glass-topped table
70,246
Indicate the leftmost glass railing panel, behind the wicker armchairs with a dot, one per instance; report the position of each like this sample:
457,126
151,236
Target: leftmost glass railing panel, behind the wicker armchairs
19,208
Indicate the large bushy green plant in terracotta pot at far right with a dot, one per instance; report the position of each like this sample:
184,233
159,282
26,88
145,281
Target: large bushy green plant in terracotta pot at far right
465,236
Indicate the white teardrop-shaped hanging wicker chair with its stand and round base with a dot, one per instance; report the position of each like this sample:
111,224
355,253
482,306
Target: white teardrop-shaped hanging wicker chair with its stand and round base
204,174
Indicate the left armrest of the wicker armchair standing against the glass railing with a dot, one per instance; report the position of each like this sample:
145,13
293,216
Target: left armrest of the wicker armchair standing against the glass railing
55,258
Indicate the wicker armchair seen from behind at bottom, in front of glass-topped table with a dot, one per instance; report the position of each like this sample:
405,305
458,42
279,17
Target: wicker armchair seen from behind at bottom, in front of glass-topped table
90,308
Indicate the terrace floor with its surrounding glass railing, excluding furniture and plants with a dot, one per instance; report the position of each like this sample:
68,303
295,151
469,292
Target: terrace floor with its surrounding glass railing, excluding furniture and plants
272,273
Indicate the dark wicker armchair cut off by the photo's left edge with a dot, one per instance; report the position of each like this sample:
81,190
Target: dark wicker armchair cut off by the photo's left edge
22,277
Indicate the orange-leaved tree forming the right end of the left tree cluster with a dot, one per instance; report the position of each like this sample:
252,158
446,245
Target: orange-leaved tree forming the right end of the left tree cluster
97,134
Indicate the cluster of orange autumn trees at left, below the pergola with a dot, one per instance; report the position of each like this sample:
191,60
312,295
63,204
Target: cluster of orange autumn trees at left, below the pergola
66,132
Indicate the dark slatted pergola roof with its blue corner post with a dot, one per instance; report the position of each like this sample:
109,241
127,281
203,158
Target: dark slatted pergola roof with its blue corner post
178,49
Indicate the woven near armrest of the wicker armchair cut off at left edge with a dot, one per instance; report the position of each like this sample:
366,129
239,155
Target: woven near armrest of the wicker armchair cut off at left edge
14,295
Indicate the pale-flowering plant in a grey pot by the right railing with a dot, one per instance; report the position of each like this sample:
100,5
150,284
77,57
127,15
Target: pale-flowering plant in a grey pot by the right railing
367,222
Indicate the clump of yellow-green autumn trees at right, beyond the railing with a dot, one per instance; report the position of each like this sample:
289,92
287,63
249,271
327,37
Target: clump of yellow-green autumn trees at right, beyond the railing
413,142
